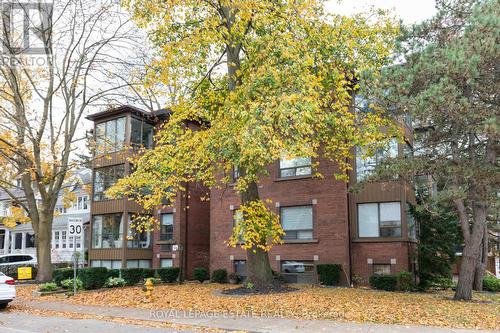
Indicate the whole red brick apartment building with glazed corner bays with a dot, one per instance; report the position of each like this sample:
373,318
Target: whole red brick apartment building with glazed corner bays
368,232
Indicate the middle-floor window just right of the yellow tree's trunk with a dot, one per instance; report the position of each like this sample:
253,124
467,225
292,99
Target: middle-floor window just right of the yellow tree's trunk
297,222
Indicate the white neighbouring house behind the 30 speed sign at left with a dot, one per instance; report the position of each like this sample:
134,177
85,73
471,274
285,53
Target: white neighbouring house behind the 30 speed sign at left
21,239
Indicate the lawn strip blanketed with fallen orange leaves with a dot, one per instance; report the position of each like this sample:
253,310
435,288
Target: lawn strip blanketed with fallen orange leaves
340,304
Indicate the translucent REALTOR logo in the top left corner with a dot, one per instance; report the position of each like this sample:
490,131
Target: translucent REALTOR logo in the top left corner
26,26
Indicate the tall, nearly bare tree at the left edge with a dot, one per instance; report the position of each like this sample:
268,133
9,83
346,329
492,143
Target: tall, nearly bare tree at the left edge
56,64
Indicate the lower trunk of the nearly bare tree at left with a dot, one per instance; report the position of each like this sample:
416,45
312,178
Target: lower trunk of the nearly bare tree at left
43,238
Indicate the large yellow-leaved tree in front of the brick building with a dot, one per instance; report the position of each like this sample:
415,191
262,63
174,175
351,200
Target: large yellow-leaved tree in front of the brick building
262,79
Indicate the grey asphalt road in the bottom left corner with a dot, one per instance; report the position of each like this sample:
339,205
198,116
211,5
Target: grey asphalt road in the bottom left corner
17,322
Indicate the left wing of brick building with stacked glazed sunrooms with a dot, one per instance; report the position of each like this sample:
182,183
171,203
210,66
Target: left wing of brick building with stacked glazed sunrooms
182,238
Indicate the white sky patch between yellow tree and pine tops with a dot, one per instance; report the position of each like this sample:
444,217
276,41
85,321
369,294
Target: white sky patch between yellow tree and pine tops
409,11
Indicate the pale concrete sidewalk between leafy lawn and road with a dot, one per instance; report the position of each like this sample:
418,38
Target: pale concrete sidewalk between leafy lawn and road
238,322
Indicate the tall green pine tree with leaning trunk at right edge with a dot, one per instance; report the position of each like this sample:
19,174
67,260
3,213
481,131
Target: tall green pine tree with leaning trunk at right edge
448,81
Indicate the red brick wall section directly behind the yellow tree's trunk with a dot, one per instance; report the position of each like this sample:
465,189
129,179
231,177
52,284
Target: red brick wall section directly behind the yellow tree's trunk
330,233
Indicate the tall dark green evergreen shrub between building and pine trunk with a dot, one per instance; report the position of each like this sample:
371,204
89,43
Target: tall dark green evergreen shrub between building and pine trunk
439,236
